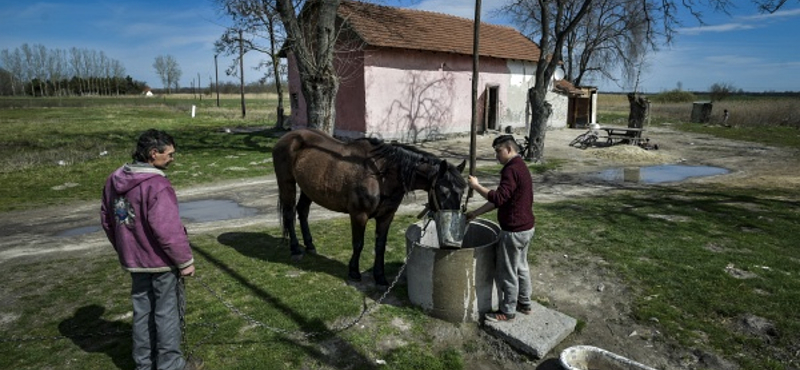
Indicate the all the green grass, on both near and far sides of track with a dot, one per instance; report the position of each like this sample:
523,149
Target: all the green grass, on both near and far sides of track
678,260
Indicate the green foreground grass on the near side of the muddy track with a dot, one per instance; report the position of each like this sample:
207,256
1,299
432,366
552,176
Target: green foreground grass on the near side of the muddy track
676,263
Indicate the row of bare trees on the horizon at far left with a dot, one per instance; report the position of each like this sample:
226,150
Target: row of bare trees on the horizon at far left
35,70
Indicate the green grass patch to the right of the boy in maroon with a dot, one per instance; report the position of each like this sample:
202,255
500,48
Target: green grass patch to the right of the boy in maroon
678,250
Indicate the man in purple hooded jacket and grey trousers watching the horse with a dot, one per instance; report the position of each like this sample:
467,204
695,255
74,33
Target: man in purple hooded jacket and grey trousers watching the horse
140,216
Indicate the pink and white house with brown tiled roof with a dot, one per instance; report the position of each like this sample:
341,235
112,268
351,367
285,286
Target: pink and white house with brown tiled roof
406,75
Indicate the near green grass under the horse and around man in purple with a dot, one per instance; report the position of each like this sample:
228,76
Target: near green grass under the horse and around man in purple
56,312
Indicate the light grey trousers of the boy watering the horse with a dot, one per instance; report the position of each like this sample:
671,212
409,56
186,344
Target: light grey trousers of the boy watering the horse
513,273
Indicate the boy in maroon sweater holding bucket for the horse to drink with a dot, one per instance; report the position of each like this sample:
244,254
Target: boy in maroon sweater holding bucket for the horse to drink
513,199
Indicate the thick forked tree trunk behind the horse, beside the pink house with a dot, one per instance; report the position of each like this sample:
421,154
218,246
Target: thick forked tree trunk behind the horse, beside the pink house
311,44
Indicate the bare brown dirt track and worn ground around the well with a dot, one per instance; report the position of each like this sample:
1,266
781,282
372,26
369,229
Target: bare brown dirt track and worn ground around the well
580,286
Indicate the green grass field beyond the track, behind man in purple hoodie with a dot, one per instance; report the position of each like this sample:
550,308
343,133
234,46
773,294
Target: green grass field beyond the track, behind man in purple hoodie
46,149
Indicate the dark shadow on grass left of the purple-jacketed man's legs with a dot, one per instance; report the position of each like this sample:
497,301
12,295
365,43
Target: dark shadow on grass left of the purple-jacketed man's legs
93,334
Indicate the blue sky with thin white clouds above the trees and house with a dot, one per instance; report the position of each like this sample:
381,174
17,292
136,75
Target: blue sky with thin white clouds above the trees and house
751,51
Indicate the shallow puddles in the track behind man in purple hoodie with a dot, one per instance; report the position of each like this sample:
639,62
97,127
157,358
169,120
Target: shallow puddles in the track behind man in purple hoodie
197,211
